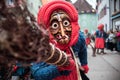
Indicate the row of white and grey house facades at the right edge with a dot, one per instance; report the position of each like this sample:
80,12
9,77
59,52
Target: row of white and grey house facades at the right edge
109,14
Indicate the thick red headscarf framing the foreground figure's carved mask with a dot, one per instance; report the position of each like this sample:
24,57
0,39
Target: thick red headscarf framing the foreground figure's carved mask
44,18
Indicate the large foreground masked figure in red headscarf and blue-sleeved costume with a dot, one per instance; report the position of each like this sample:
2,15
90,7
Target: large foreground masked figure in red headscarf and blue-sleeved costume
61,14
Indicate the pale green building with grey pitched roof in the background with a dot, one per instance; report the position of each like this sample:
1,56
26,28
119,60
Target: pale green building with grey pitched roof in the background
87,16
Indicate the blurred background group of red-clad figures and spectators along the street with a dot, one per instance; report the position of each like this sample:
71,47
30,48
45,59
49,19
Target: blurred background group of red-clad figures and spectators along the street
103,40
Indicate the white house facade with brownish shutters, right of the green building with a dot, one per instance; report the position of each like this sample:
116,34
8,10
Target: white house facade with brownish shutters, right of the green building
103,12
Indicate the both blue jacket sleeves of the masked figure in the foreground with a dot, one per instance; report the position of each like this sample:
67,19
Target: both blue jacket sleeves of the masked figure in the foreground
44,71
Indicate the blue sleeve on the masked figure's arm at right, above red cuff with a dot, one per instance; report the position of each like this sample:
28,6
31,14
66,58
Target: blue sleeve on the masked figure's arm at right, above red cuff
80,49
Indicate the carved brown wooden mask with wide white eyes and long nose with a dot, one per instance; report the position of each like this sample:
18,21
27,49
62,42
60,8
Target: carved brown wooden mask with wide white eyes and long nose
60,27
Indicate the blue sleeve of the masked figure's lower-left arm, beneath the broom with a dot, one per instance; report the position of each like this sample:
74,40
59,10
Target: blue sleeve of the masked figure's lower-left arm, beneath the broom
43,71
